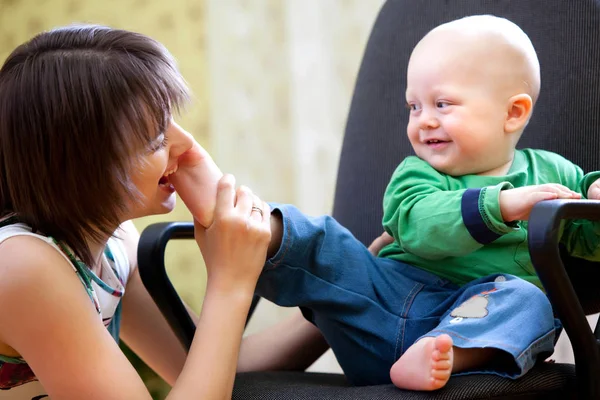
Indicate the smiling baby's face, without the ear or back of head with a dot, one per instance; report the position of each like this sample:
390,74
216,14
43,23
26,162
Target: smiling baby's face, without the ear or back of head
457,110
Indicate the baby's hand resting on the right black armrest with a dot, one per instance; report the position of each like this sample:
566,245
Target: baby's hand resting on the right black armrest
516,204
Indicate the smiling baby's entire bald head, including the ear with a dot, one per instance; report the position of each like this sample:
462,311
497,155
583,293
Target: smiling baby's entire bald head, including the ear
471,85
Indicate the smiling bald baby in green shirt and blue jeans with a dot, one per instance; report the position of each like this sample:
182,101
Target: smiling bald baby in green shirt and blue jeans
456,291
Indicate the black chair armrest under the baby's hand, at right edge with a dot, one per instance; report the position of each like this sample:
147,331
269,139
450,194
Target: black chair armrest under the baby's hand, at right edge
543,232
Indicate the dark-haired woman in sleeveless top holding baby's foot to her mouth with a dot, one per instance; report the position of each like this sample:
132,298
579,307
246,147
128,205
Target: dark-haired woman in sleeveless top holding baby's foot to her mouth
87,143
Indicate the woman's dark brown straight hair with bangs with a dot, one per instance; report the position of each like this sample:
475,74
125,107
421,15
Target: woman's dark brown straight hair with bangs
77,105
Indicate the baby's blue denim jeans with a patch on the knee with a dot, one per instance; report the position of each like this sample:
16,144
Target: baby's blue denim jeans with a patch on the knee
370,310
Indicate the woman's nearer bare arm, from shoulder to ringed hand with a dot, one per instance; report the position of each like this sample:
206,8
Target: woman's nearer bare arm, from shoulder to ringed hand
47,317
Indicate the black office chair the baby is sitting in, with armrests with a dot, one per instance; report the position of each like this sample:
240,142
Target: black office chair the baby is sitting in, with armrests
566,35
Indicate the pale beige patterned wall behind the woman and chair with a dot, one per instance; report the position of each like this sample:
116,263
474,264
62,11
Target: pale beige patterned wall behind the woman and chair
272,81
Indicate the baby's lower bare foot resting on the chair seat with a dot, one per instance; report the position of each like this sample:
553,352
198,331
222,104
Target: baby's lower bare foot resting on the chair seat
426,365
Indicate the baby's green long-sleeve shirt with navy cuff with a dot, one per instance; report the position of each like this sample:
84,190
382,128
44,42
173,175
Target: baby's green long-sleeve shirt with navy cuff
452,226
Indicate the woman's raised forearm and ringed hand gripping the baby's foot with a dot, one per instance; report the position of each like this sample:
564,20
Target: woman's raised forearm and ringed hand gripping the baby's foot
234,248
